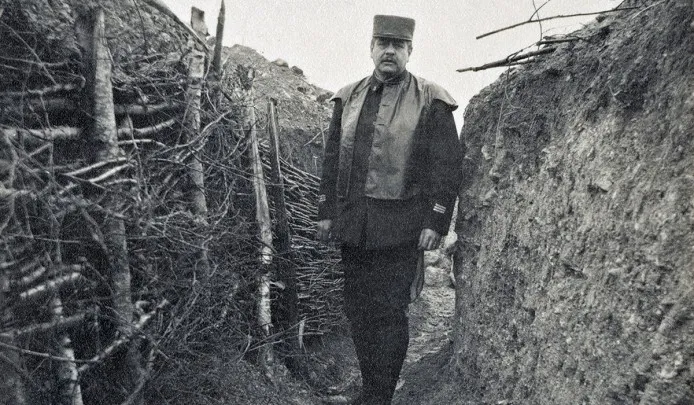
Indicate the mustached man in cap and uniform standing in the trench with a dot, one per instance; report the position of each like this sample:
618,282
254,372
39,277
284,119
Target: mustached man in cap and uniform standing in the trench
391,173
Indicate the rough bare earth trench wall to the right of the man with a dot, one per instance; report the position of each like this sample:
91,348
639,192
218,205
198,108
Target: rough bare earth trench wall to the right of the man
575,275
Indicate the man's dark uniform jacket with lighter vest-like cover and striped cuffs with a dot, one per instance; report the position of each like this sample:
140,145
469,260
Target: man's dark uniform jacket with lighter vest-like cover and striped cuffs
392,163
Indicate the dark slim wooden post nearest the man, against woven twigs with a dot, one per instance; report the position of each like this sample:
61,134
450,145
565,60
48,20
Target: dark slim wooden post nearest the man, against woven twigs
288,312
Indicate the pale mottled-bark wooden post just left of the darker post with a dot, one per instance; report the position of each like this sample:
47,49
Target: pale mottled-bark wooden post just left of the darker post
262,215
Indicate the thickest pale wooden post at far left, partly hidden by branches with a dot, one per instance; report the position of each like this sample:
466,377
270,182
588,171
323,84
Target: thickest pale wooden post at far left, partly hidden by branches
104,146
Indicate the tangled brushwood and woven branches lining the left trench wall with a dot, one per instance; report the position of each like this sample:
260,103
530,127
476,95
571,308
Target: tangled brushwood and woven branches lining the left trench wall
107,259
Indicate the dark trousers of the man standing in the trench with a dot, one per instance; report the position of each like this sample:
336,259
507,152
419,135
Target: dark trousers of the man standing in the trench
376,296
